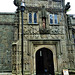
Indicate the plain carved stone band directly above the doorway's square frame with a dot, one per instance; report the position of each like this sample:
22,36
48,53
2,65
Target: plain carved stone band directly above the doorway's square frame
40,37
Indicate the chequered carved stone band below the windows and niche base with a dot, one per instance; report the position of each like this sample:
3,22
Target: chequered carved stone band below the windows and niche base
35,30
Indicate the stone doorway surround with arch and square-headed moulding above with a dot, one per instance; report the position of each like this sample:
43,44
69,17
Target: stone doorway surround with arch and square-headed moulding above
52,45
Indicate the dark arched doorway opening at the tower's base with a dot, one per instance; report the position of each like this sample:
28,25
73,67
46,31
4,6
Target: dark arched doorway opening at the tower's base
44,62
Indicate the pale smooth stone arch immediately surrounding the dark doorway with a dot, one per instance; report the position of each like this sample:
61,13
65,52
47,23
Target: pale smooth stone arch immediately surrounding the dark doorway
49,48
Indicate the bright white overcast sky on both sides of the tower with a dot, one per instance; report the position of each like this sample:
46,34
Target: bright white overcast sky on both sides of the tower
8,6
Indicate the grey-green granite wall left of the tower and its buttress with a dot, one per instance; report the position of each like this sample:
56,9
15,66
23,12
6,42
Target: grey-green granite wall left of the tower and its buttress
6,39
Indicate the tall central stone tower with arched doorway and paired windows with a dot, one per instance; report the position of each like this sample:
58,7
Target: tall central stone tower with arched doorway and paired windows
45,49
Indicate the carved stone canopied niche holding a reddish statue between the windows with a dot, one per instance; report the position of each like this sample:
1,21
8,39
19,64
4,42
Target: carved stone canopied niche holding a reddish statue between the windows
44,25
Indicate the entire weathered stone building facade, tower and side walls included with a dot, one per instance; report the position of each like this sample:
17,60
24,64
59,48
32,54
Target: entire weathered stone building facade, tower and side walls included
48,44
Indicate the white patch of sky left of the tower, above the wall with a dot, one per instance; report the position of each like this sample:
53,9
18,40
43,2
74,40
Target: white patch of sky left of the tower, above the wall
7,6
